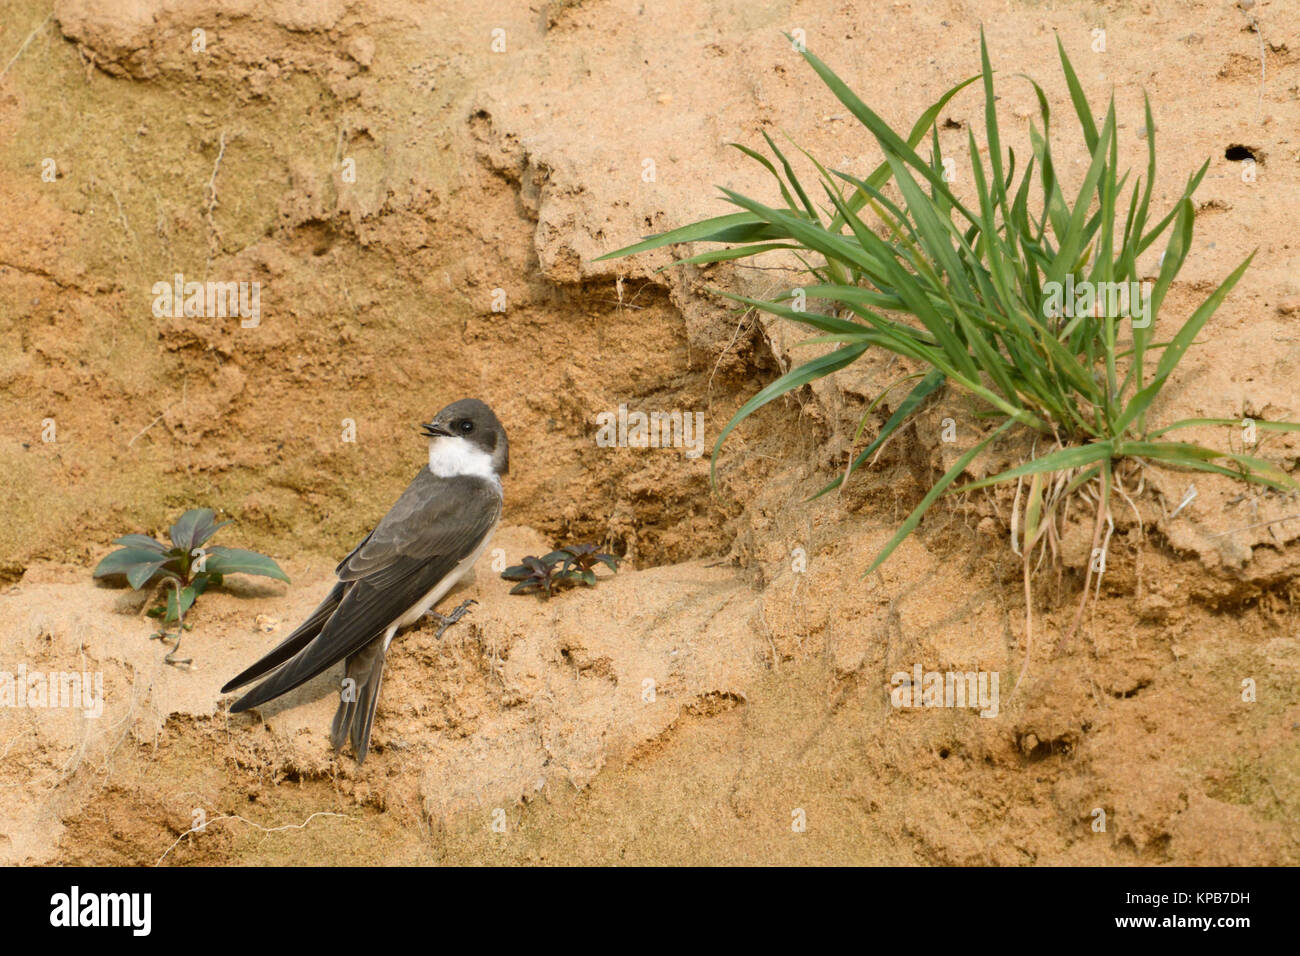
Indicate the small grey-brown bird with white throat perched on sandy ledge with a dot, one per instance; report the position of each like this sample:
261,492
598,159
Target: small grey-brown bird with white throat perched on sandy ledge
432,535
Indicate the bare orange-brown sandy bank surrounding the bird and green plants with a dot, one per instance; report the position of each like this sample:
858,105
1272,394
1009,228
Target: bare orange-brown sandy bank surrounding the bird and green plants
527,734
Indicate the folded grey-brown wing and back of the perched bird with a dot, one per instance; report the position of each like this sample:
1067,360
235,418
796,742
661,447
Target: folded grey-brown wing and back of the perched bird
430,531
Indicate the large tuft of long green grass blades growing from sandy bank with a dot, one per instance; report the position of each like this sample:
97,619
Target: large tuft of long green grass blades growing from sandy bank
968,292
